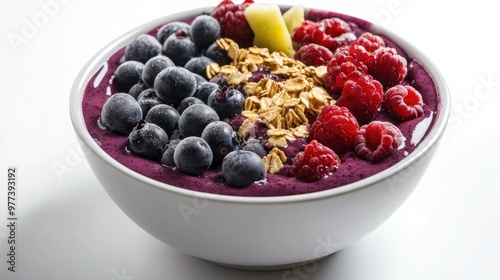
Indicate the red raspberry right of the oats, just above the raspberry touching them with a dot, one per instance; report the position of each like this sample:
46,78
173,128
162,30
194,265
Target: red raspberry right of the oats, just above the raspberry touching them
362,97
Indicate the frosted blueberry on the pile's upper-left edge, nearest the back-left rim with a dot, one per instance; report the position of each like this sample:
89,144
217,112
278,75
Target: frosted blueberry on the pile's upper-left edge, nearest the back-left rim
142,48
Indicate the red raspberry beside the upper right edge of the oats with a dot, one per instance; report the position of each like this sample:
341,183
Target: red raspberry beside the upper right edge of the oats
342,67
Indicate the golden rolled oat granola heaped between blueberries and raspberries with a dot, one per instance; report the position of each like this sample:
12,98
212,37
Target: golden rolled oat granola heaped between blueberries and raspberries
283,106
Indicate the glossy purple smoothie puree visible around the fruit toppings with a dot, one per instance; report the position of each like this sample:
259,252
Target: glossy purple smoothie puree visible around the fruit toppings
352,168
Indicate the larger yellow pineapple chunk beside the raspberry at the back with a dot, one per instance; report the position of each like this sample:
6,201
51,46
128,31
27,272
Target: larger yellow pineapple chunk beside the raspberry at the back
269,28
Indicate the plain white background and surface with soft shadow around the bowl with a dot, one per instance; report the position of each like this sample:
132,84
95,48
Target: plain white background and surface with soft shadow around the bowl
68,228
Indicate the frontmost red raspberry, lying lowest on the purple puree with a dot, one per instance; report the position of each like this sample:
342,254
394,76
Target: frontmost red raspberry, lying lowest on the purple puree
314,162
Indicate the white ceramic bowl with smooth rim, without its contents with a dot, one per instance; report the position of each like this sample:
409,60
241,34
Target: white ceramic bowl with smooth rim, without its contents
256,232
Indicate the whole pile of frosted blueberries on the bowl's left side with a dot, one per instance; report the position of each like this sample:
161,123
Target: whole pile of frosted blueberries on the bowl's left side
171,112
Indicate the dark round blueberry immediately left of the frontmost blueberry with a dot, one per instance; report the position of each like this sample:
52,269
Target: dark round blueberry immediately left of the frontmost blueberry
192,155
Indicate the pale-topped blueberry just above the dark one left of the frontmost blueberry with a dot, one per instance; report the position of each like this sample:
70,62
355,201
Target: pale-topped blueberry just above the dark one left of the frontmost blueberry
195,118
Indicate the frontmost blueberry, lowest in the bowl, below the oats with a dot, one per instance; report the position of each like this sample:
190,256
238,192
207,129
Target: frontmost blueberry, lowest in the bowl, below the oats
242,168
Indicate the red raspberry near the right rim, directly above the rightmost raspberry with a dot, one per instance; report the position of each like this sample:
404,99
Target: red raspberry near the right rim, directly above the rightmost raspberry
388,67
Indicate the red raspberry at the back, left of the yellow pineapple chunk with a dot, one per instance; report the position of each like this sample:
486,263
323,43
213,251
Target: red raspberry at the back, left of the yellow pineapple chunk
233,22
